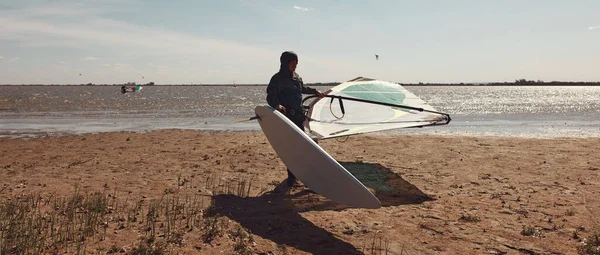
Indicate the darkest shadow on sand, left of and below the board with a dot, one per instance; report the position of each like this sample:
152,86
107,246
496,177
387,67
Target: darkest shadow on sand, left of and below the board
273,217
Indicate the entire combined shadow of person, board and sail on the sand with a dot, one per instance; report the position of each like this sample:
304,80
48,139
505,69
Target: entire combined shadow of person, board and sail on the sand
275,215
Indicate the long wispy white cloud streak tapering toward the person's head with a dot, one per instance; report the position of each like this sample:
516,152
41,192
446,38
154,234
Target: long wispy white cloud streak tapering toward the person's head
72,29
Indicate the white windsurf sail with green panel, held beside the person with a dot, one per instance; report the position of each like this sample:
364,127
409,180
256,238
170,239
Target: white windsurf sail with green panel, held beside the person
364,105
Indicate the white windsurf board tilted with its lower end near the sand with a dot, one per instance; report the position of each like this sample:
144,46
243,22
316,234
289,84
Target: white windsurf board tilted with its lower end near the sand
310,163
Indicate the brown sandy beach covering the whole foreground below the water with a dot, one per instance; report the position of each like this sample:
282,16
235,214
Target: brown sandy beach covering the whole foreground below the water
441,194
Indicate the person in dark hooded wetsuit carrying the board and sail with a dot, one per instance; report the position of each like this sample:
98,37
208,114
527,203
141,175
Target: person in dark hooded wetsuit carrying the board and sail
284,93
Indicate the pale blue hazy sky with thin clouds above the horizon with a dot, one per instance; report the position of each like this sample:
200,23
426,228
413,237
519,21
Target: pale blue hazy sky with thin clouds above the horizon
226,41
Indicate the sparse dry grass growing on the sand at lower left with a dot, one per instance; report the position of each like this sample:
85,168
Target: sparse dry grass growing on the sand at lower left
40,223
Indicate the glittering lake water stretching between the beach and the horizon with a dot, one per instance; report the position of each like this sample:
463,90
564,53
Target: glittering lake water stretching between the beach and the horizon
527,111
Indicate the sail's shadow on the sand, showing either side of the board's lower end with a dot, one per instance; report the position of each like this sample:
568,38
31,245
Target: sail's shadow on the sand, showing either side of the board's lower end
389,187
